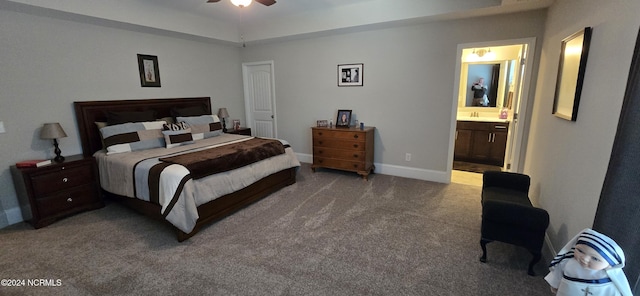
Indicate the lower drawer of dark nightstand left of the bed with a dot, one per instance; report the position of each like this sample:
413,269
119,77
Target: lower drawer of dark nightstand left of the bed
66,201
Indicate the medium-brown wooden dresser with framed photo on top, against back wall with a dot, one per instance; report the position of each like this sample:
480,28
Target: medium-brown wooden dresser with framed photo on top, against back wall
348,149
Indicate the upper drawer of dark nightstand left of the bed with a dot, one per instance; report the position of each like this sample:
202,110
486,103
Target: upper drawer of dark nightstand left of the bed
68,177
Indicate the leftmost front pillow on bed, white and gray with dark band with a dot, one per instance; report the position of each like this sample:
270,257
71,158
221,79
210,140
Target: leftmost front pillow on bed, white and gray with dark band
132,136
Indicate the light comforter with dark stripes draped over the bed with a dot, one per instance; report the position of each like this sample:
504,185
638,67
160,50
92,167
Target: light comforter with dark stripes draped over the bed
179,195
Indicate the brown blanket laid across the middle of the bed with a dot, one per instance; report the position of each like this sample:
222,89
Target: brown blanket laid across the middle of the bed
228,157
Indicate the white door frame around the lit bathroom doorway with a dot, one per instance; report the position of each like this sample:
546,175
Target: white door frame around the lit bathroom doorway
517,136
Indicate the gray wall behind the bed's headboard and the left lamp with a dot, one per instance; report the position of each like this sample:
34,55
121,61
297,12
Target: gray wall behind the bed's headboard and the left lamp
47,63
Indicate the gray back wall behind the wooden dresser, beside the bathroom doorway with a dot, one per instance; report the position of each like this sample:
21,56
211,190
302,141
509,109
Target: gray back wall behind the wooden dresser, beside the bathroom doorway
408,85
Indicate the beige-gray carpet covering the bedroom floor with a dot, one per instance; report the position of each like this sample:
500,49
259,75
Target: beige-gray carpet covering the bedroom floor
331,233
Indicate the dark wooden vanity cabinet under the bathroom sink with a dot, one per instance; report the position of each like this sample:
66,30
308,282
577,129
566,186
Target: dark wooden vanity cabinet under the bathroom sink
481,142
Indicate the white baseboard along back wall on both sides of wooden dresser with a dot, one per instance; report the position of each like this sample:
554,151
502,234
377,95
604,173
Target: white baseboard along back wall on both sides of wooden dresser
398,171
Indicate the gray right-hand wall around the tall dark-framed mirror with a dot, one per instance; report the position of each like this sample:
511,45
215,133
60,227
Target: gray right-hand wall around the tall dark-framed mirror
568,160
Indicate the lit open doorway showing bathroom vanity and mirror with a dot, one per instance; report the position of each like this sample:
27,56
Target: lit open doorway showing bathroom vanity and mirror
492,85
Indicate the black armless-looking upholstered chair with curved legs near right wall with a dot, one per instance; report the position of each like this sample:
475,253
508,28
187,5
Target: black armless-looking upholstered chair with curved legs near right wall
508,215
